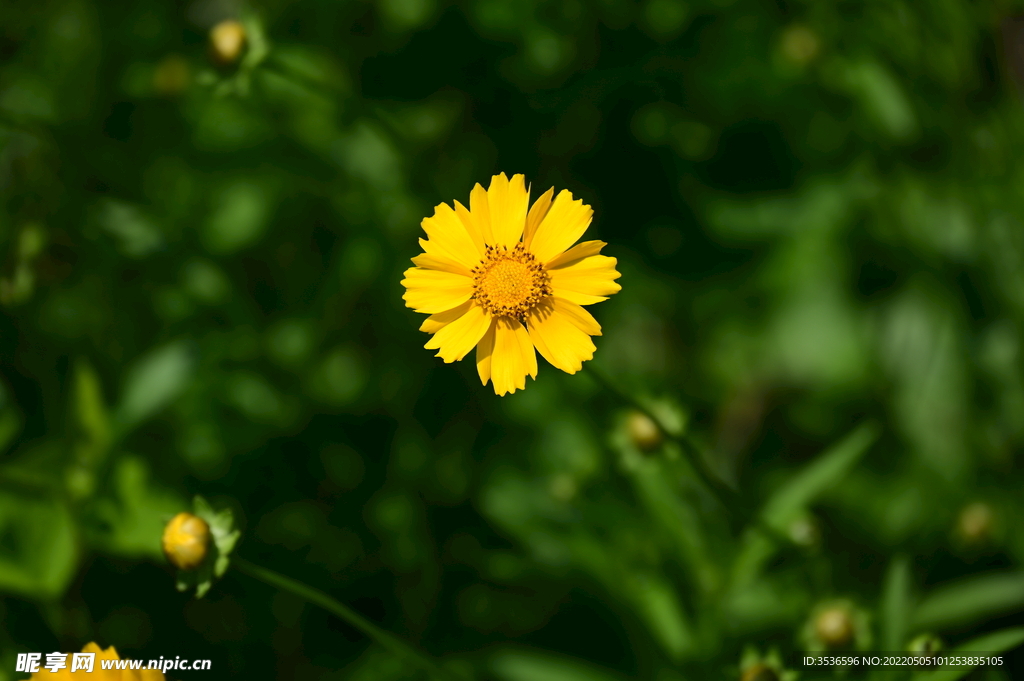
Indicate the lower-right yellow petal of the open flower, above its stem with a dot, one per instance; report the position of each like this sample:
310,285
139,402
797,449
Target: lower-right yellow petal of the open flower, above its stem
556,328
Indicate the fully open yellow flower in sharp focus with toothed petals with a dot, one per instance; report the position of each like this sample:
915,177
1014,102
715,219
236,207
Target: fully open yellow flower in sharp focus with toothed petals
505,280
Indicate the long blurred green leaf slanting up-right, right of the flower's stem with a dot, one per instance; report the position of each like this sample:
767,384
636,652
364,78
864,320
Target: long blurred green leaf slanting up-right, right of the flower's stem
826,472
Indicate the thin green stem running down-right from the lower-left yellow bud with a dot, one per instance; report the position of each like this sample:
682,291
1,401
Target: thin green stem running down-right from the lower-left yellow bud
339,610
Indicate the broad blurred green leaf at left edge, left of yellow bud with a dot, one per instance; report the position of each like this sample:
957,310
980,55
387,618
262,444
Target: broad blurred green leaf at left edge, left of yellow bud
38,555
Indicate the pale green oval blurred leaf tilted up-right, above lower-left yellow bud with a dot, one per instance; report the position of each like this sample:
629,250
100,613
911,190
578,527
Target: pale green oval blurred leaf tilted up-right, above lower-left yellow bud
154,382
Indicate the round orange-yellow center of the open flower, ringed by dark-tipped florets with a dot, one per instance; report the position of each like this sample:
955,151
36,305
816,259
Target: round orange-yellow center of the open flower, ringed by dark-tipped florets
510,283
